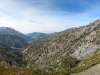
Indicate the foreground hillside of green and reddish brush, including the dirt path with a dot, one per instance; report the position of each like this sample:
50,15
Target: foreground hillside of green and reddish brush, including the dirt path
83,65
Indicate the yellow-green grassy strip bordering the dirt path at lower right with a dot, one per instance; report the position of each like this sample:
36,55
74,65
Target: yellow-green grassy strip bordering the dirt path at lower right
88,63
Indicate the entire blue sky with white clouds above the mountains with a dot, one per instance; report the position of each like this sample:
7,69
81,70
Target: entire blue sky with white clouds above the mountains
47,16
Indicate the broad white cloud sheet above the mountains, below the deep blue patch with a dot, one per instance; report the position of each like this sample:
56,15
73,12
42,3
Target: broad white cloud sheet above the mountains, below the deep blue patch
27,18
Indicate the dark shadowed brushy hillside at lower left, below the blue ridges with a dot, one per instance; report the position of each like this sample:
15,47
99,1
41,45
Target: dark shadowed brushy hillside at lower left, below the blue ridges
11,58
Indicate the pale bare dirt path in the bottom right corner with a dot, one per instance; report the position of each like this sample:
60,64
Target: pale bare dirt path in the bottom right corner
92,71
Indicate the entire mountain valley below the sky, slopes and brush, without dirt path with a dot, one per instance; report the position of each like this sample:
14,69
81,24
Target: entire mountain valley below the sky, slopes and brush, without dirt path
62,53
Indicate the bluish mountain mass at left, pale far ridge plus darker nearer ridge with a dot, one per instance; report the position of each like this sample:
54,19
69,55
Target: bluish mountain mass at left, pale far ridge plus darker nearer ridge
12,39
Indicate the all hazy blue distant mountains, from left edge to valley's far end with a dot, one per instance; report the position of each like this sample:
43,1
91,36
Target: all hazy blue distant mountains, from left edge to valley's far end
12,38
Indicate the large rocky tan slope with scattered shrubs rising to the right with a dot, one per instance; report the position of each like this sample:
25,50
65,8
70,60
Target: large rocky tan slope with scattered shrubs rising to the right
69,48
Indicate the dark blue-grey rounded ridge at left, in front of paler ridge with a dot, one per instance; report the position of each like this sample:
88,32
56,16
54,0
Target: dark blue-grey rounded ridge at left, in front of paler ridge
12,41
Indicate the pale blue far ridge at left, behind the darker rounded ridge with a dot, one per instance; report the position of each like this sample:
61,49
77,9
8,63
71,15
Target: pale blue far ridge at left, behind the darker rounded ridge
11,31
